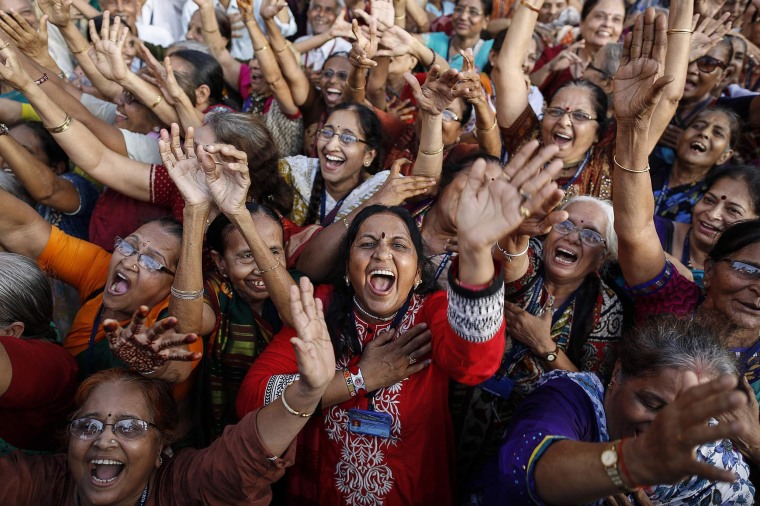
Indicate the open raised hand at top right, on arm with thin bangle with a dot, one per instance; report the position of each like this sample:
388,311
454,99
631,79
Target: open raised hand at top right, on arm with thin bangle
639,81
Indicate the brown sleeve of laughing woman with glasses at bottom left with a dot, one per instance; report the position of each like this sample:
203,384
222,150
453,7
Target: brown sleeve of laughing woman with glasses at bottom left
236,469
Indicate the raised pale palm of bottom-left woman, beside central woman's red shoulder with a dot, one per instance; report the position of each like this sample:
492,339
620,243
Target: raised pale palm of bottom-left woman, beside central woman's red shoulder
313,348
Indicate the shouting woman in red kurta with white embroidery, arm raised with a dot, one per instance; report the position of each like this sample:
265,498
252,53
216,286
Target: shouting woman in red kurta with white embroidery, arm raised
387,286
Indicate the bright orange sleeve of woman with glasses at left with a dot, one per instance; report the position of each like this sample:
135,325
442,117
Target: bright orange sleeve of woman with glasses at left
76,262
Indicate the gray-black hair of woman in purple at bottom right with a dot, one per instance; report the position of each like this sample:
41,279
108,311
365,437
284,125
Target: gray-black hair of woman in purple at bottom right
671,342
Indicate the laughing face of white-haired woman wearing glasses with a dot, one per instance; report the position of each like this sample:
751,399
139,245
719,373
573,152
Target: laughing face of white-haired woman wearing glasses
566,257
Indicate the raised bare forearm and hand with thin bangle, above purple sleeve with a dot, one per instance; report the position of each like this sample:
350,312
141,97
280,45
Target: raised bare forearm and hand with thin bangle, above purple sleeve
638,88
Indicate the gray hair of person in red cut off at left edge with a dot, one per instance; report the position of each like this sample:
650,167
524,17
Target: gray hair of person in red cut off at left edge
25,296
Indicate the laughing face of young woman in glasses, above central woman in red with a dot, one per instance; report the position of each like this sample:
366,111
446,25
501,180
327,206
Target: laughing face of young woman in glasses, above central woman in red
341,163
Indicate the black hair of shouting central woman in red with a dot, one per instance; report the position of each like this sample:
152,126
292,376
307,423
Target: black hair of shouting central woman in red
339,315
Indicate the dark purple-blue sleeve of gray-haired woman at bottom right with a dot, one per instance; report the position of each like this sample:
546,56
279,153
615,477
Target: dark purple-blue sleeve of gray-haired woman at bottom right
510,474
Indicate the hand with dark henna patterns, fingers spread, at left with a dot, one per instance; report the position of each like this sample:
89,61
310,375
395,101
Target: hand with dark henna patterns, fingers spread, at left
146,350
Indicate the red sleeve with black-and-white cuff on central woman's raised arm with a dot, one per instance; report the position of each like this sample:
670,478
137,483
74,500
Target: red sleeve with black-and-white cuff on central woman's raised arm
468,329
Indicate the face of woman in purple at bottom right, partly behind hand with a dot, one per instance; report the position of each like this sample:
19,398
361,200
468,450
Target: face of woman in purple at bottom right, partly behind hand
632,405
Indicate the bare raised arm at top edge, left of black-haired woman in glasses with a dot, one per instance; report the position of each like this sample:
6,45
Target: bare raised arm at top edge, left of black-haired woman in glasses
508,74
